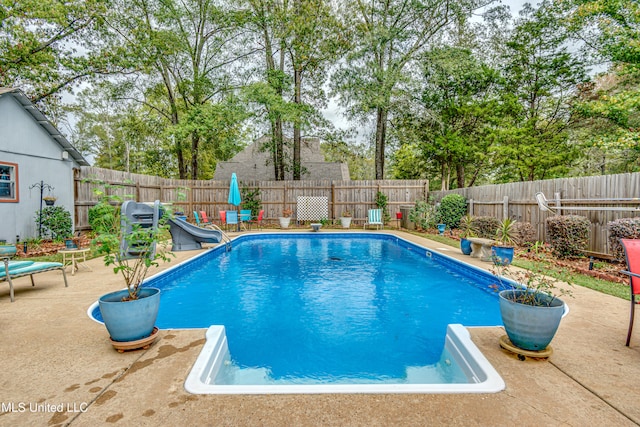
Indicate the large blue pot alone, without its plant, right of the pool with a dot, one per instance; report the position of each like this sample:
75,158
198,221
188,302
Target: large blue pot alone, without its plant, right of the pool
530,327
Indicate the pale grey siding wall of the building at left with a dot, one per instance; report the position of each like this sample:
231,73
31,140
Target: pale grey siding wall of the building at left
39,158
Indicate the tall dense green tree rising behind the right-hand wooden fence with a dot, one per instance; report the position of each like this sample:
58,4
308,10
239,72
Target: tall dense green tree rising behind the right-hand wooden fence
541,77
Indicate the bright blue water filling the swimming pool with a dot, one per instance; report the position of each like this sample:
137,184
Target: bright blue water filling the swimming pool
330,307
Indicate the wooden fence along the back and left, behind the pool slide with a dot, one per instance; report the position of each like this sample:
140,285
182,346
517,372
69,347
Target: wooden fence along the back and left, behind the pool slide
211,196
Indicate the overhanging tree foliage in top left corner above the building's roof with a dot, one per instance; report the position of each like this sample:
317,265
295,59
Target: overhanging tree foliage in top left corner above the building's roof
48,46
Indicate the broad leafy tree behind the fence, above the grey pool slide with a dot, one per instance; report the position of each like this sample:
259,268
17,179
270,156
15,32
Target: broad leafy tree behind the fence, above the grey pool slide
182,57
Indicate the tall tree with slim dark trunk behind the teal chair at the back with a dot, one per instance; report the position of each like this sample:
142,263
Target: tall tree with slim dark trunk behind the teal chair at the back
387,36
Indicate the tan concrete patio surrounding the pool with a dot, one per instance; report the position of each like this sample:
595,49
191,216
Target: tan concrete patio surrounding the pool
59,368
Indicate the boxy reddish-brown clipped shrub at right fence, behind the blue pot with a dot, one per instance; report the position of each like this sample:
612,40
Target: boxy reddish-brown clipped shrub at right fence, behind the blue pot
568,235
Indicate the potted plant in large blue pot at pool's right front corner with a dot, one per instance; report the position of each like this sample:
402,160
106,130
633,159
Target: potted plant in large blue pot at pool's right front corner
530,307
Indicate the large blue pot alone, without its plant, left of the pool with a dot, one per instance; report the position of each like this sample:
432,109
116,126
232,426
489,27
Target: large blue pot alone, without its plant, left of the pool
130,320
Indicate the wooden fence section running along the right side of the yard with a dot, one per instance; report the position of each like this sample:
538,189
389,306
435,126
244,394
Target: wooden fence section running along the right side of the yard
517,201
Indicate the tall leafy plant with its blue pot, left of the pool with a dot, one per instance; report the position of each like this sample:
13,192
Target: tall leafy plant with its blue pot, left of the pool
131,249
